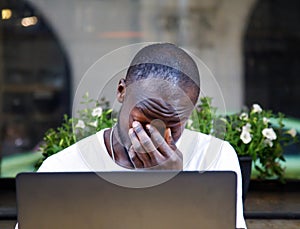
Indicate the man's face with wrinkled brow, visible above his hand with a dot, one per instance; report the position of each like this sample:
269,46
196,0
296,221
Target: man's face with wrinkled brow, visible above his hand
162,109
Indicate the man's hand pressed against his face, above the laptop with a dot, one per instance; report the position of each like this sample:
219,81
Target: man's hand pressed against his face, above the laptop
155,152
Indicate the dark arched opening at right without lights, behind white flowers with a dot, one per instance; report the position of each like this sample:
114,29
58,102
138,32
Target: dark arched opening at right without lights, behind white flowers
272,56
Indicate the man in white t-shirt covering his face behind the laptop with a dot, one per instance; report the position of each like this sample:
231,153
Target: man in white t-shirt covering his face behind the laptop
158,94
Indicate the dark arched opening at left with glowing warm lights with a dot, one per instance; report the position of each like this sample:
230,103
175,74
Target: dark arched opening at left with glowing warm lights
34,78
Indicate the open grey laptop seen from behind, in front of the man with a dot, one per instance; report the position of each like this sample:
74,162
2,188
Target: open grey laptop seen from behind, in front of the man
91,200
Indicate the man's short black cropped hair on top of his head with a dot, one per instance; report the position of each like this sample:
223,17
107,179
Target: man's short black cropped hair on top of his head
167,62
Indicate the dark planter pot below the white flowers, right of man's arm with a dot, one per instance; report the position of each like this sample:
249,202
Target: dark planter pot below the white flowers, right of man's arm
246,168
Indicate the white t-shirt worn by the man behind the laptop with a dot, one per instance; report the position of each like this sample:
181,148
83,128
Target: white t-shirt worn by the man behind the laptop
200,152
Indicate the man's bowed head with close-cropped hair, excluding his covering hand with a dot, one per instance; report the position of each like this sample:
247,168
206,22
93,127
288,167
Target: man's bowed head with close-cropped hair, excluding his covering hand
161,84
